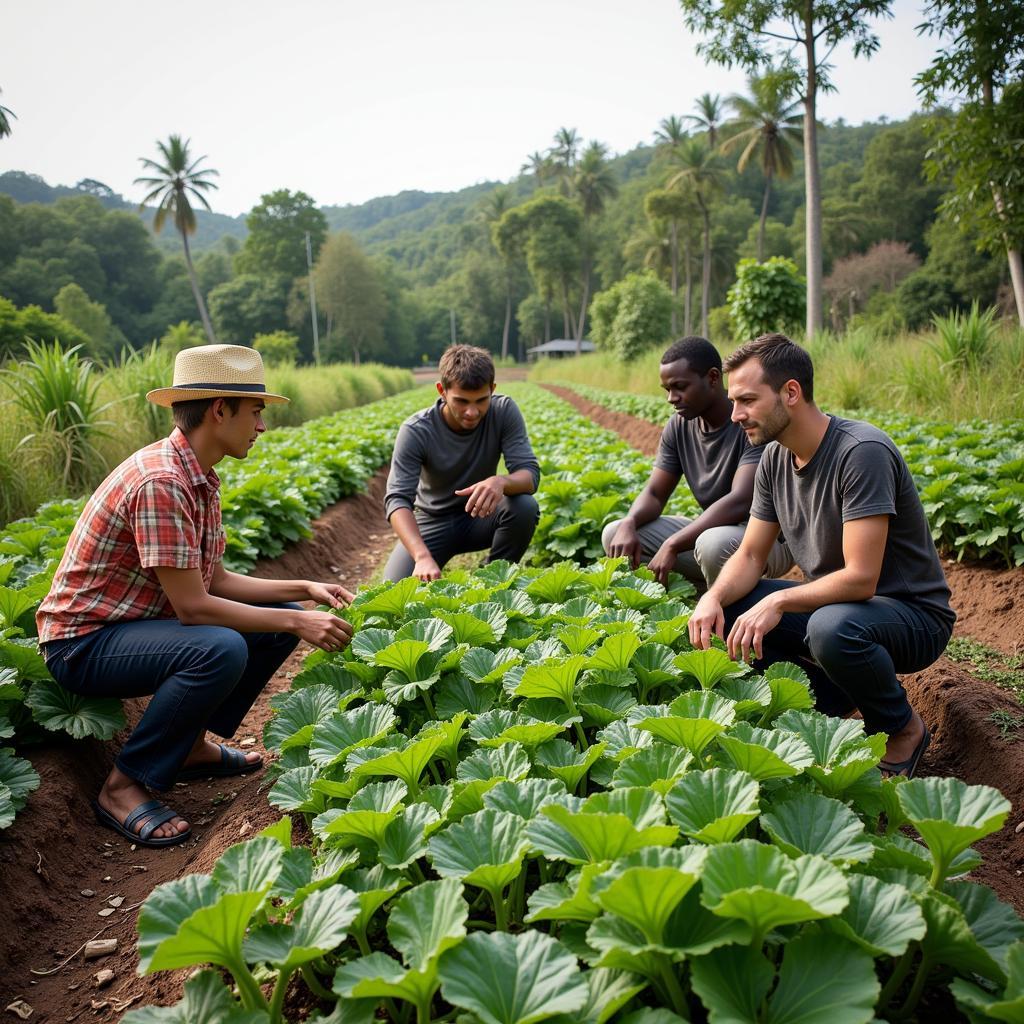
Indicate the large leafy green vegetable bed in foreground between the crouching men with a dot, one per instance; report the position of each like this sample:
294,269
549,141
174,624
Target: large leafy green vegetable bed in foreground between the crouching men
531,800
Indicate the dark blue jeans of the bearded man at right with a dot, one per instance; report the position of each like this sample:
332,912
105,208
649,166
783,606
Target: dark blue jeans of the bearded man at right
852,652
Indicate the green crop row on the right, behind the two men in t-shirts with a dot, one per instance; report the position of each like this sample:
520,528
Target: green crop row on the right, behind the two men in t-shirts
970,476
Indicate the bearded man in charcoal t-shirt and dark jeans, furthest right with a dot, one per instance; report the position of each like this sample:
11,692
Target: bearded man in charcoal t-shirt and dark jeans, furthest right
876,602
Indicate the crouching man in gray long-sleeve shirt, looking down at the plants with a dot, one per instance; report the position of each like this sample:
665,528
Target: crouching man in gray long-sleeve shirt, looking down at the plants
445,496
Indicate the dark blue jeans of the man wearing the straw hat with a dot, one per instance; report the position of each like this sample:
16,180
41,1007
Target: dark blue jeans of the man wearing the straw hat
201,677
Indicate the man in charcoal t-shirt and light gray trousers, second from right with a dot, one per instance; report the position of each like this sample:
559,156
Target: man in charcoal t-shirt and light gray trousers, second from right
702,444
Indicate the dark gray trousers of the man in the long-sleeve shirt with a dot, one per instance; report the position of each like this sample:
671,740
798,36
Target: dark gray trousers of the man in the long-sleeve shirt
507,532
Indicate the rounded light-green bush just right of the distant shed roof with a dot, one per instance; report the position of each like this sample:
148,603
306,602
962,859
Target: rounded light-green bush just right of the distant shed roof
633,316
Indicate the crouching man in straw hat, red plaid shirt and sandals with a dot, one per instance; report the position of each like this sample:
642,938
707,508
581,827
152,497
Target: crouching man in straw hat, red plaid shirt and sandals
142,605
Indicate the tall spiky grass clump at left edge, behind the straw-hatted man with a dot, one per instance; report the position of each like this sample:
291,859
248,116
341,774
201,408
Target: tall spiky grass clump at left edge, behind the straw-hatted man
59,394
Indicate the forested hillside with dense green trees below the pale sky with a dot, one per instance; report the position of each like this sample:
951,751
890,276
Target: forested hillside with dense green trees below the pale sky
509,265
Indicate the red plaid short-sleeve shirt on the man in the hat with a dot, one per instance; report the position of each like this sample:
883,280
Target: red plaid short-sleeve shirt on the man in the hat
157,508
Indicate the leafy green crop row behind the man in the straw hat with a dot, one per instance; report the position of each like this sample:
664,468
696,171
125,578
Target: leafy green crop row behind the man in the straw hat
269,501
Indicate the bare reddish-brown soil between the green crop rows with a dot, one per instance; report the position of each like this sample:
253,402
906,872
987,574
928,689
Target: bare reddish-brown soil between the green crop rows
56,851
